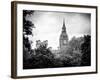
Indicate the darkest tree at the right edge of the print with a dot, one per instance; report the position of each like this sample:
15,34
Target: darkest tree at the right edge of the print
86,51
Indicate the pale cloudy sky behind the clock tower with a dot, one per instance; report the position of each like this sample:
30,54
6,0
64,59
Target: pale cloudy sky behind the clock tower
48,26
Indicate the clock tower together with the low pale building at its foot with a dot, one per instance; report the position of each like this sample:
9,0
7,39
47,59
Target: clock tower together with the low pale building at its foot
63,42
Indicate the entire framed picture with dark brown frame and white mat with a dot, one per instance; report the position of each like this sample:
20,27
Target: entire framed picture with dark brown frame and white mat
53,39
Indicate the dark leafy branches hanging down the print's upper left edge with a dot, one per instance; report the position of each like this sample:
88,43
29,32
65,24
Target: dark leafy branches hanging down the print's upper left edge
27,29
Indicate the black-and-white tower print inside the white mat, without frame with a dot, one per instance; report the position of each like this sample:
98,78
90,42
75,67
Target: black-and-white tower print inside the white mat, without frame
56,39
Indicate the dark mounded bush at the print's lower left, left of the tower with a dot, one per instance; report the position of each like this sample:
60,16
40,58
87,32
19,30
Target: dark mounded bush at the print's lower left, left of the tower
42,59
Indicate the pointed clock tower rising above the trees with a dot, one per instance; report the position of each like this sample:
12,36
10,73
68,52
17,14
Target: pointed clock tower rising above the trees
63,37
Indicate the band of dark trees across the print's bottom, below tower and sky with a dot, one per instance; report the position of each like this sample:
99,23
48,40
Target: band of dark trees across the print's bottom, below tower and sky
78,53
